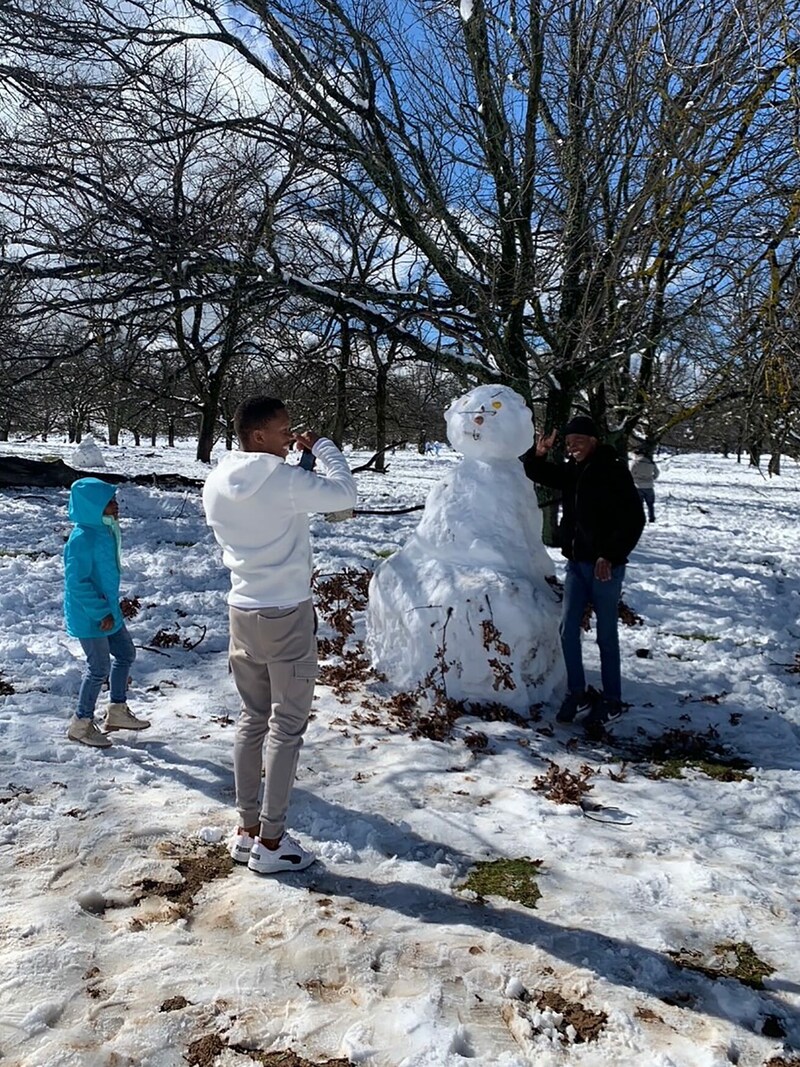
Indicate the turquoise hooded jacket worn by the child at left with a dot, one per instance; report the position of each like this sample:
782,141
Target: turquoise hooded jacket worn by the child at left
91,566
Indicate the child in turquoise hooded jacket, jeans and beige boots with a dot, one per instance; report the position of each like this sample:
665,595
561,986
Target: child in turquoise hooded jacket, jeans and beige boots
92,563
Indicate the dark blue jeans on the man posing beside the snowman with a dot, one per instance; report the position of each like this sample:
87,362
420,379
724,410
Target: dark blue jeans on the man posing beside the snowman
582,588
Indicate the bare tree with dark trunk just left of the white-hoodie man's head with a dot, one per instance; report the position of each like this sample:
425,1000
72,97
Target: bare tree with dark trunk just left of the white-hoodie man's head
147,203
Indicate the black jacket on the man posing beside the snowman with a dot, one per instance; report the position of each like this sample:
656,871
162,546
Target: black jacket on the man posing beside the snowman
602,514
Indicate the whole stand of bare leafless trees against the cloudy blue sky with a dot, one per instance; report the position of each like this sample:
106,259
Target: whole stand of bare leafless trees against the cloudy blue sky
369,208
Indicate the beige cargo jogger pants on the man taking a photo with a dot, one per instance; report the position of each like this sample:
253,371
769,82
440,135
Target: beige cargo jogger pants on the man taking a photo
274,660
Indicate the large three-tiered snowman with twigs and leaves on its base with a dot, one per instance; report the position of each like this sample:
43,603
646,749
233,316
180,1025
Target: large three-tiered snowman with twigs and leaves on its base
467,602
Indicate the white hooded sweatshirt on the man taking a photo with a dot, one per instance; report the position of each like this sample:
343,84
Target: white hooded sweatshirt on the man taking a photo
259,507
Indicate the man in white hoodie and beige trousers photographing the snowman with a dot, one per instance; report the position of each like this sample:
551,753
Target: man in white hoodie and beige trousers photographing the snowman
259,508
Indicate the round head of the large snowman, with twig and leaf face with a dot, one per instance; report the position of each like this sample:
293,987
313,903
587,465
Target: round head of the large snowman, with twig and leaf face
490,423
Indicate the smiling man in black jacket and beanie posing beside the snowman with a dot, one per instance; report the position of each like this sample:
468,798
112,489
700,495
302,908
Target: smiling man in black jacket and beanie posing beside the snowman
601,523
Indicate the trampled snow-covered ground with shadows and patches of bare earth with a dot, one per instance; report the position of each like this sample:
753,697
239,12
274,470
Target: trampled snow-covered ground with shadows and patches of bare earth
375,955
